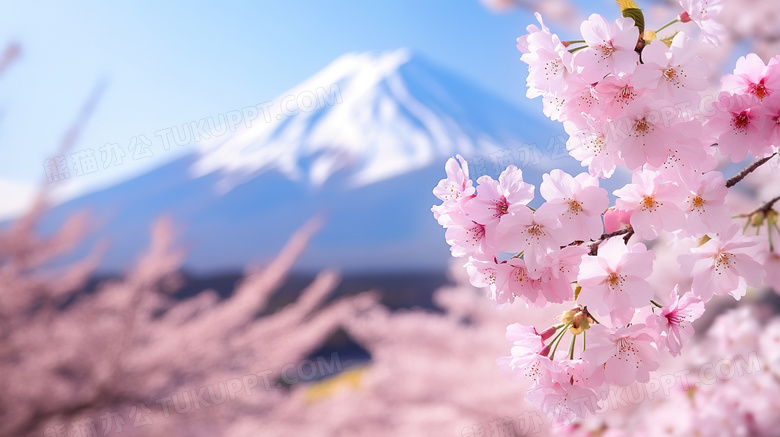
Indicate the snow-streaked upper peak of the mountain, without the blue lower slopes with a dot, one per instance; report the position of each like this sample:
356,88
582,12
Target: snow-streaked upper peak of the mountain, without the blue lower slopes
367,117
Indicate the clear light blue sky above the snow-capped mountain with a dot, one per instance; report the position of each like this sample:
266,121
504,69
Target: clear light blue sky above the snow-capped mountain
167,63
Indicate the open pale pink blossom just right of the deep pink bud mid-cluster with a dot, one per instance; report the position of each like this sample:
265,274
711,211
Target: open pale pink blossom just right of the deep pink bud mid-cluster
653,204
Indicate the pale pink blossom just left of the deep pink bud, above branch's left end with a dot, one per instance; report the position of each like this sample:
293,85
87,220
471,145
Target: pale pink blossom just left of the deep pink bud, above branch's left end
578,202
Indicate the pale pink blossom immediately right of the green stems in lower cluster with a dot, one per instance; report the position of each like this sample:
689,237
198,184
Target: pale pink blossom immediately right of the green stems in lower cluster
627,354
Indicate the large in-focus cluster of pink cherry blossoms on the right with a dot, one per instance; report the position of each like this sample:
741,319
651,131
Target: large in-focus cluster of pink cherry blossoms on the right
625,97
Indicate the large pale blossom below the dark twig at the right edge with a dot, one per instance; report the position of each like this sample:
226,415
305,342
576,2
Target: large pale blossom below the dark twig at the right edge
723,265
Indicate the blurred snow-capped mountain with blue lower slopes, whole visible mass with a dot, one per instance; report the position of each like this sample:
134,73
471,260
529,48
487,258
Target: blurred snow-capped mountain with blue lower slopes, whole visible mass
367,155
